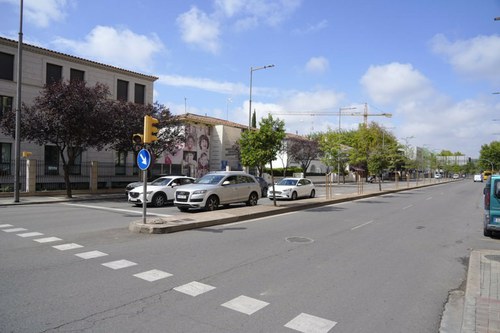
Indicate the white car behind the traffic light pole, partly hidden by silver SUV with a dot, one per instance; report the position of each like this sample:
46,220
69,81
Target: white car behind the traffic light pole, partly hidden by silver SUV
160,191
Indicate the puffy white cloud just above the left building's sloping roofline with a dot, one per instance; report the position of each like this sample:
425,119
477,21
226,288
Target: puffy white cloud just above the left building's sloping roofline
122,48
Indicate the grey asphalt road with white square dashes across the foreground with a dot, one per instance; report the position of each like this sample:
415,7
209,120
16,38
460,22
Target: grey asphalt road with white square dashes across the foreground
384,264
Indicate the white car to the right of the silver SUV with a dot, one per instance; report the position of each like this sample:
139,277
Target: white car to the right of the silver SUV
292,188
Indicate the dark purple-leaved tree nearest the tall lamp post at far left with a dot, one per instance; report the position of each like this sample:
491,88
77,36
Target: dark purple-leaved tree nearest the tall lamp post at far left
69,115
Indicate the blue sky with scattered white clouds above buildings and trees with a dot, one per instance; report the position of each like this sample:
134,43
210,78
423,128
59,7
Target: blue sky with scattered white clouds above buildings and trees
433,65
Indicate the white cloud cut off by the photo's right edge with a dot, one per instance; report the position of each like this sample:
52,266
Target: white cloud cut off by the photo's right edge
477,58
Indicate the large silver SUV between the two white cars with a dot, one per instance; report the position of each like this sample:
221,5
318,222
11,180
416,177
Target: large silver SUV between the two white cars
218,188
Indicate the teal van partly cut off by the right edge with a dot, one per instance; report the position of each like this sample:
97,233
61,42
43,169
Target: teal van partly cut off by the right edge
491,205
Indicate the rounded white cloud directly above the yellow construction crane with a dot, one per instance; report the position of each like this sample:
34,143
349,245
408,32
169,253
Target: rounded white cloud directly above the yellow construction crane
395,83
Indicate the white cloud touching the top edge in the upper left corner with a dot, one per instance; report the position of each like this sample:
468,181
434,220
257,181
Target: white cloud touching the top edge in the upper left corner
42,12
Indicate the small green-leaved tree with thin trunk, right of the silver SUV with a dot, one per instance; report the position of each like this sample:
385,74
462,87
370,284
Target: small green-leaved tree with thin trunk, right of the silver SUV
261,146
